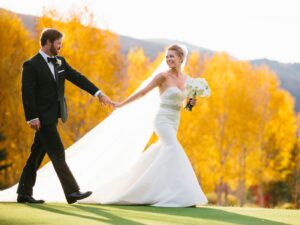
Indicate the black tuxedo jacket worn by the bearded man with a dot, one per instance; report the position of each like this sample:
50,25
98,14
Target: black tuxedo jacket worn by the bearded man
42,95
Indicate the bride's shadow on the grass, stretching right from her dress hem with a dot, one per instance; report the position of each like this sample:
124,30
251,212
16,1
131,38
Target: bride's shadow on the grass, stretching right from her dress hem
212,214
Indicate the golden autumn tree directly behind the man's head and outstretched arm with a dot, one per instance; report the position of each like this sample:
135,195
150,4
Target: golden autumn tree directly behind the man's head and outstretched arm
96,54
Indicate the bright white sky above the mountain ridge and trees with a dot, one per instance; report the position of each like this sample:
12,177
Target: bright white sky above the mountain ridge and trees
245,29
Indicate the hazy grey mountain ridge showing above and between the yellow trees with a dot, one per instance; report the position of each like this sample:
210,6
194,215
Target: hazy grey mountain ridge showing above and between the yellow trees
288,73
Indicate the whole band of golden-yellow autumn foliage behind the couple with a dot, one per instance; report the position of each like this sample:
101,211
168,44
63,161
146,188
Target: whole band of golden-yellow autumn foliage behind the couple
242,135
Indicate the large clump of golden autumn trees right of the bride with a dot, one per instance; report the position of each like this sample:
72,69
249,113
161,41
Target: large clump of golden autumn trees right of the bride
221,134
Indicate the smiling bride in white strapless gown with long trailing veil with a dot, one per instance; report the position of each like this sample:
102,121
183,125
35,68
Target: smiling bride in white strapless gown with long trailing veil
118,170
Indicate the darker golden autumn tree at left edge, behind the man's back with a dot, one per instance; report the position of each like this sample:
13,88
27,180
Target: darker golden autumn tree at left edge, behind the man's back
16,46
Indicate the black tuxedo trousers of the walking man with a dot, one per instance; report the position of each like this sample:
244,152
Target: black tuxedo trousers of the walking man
47,140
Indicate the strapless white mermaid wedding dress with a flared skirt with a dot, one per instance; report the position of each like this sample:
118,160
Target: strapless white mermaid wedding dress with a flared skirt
162,175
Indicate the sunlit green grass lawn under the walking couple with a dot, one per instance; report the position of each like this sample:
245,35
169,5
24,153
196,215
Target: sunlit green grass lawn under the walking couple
88,214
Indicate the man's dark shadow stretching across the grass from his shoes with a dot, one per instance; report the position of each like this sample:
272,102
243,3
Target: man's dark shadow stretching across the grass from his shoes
101,214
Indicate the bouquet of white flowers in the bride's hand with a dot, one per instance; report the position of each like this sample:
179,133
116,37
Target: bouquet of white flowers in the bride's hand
196,87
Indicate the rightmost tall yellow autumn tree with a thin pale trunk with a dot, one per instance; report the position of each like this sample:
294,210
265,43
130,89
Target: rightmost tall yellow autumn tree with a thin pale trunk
276,133
